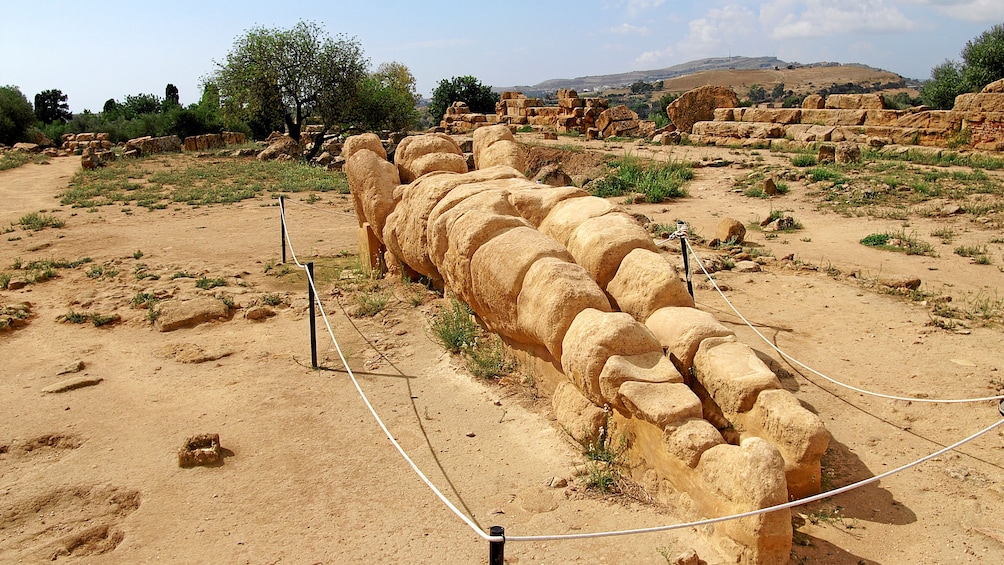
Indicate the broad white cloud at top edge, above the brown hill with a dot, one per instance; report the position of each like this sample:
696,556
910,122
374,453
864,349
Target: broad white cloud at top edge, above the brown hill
791,20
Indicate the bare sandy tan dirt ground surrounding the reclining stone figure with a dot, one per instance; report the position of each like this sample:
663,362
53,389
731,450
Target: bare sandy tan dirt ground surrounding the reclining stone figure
92,475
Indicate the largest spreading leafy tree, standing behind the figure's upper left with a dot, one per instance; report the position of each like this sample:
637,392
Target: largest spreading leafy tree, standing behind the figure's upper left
293,75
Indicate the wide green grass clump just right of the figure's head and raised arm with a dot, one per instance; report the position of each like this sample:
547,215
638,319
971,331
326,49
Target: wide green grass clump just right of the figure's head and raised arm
657,181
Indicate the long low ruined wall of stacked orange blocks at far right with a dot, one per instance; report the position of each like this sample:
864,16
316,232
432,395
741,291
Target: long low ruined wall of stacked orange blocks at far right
976,121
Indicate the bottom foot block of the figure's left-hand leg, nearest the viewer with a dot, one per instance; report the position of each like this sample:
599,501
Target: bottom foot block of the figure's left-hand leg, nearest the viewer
750,476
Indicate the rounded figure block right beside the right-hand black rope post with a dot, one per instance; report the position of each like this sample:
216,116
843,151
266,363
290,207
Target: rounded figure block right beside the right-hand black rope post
646,282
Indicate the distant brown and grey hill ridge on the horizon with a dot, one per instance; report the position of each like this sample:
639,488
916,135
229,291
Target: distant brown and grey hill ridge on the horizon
726,72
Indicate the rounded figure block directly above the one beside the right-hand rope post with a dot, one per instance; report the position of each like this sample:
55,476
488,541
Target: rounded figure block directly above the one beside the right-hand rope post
601,244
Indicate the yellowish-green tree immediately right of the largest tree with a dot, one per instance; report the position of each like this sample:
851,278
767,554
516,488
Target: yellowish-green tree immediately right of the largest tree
388,99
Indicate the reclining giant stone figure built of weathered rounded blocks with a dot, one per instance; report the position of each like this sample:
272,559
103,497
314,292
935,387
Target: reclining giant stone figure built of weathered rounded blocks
576,286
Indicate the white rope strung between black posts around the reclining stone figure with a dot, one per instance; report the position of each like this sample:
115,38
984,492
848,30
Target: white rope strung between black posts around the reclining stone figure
495,539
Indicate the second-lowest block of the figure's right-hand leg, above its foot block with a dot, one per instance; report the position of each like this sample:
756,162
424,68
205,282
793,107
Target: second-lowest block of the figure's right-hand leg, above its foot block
732,374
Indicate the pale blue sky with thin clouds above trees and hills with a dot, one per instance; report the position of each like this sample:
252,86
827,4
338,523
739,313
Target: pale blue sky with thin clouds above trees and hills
96,52
